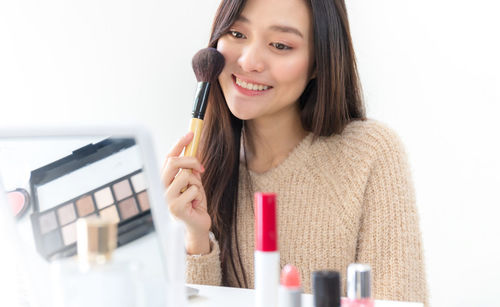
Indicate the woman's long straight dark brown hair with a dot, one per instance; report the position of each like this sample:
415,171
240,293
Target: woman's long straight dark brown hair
329,102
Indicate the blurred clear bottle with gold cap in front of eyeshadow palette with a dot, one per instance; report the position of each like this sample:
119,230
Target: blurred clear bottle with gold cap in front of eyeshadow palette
93,278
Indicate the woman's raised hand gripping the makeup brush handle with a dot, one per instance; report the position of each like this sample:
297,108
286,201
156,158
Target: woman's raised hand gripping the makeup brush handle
189,206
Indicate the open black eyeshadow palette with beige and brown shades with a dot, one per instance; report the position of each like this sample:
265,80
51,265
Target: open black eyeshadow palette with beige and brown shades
105,181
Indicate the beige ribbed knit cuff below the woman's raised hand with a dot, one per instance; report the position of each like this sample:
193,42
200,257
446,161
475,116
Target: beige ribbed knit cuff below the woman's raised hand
205,269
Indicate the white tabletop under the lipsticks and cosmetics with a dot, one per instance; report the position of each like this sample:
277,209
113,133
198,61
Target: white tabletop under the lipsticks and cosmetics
211,296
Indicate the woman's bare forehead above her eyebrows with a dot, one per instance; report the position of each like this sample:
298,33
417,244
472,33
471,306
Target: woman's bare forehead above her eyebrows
267,13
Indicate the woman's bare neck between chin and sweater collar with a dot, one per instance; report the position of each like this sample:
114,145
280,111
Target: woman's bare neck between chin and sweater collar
272,138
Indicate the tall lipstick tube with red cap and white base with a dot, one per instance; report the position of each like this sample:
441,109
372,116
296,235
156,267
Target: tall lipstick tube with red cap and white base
267,257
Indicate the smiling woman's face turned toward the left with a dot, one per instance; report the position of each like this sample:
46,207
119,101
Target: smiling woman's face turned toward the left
268,53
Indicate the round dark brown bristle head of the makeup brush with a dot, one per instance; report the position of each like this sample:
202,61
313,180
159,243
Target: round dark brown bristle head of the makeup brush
208,64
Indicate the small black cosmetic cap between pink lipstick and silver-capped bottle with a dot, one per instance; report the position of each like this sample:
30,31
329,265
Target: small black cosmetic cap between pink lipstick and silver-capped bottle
326,288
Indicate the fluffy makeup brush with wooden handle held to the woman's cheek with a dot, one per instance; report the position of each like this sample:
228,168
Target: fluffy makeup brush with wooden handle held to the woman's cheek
207,65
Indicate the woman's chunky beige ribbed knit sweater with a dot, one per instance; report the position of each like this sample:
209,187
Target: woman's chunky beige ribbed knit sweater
341,199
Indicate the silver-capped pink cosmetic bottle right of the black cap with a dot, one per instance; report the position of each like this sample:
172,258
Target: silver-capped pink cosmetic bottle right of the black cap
358,286
